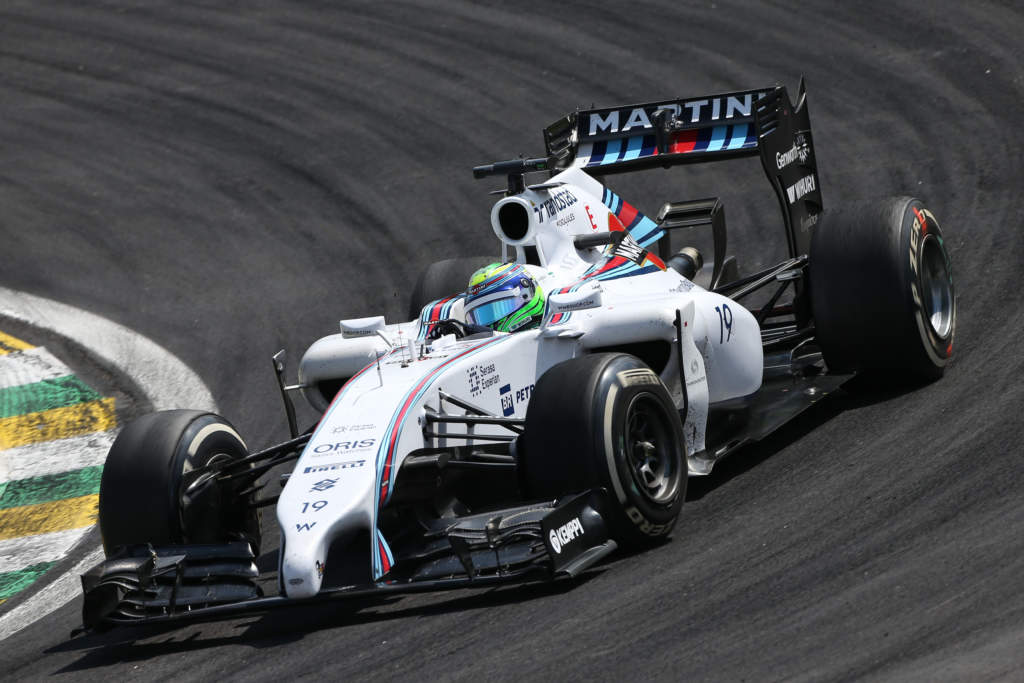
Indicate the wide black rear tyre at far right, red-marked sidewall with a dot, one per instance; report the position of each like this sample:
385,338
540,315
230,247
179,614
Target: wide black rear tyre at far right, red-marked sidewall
882,289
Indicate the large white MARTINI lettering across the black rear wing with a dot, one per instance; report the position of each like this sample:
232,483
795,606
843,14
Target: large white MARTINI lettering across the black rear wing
708,110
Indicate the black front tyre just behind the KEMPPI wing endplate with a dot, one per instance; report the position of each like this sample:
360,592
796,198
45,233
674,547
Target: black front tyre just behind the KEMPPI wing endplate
608,421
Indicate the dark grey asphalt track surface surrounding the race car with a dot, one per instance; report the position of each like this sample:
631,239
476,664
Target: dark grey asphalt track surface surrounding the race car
232,179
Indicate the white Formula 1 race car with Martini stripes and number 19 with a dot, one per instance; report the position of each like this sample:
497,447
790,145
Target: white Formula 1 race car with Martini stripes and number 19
451,454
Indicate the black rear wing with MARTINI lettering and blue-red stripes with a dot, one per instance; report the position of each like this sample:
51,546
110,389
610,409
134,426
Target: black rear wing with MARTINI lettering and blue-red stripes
667,134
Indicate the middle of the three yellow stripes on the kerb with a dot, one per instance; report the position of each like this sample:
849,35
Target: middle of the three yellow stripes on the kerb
75,420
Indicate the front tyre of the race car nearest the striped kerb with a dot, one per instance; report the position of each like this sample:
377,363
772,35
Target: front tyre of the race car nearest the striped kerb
150,494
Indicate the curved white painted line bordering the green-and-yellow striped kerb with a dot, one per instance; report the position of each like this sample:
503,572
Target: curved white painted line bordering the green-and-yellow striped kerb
167,382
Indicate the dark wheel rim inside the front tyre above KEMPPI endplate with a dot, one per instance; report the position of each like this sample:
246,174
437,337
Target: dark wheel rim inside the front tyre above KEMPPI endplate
651,450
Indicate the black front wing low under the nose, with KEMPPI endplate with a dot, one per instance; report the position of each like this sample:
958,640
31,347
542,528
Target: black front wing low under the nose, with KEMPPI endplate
146,584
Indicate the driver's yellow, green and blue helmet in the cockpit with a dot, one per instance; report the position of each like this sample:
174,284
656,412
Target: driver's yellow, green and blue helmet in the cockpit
504,297
